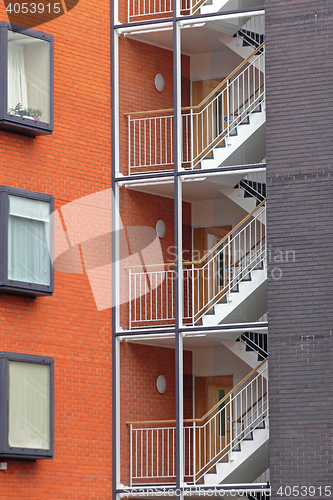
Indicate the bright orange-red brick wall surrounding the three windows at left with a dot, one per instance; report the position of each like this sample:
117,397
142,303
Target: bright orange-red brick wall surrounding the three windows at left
72,163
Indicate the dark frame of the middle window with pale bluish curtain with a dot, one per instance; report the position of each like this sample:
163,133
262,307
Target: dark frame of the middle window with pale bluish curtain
14,287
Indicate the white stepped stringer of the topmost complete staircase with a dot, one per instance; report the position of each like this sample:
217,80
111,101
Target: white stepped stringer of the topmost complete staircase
233,142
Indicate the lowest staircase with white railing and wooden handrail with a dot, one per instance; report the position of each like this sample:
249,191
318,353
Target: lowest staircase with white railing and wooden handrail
227,445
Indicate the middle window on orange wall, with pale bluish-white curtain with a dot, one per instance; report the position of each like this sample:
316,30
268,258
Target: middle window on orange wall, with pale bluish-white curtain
26,243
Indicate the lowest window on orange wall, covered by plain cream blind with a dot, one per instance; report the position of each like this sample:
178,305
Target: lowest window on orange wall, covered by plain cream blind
26,406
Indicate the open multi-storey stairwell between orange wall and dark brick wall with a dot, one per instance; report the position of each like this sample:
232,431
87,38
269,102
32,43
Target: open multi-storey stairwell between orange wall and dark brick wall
190,271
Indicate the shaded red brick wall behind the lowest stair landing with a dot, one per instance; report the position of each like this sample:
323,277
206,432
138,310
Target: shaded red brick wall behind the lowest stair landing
140,399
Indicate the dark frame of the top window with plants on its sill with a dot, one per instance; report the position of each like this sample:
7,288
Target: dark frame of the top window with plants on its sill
18,124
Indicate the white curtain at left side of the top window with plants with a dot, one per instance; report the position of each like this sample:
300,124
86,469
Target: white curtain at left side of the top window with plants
17,82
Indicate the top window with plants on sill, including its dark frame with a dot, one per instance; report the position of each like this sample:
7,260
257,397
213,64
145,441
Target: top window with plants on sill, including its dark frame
26,69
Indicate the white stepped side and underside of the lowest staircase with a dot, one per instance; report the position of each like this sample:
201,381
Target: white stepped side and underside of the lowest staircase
251,460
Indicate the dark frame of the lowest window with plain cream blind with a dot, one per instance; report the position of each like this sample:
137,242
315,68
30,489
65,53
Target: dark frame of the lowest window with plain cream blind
7,452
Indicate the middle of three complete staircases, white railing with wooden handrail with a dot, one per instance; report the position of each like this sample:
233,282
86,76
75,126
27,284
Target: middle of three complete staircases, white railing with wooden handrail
227,285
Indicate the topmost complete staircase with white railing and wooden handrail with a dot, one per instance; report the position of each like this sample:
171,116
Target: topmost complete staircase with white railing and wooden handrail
227,126
